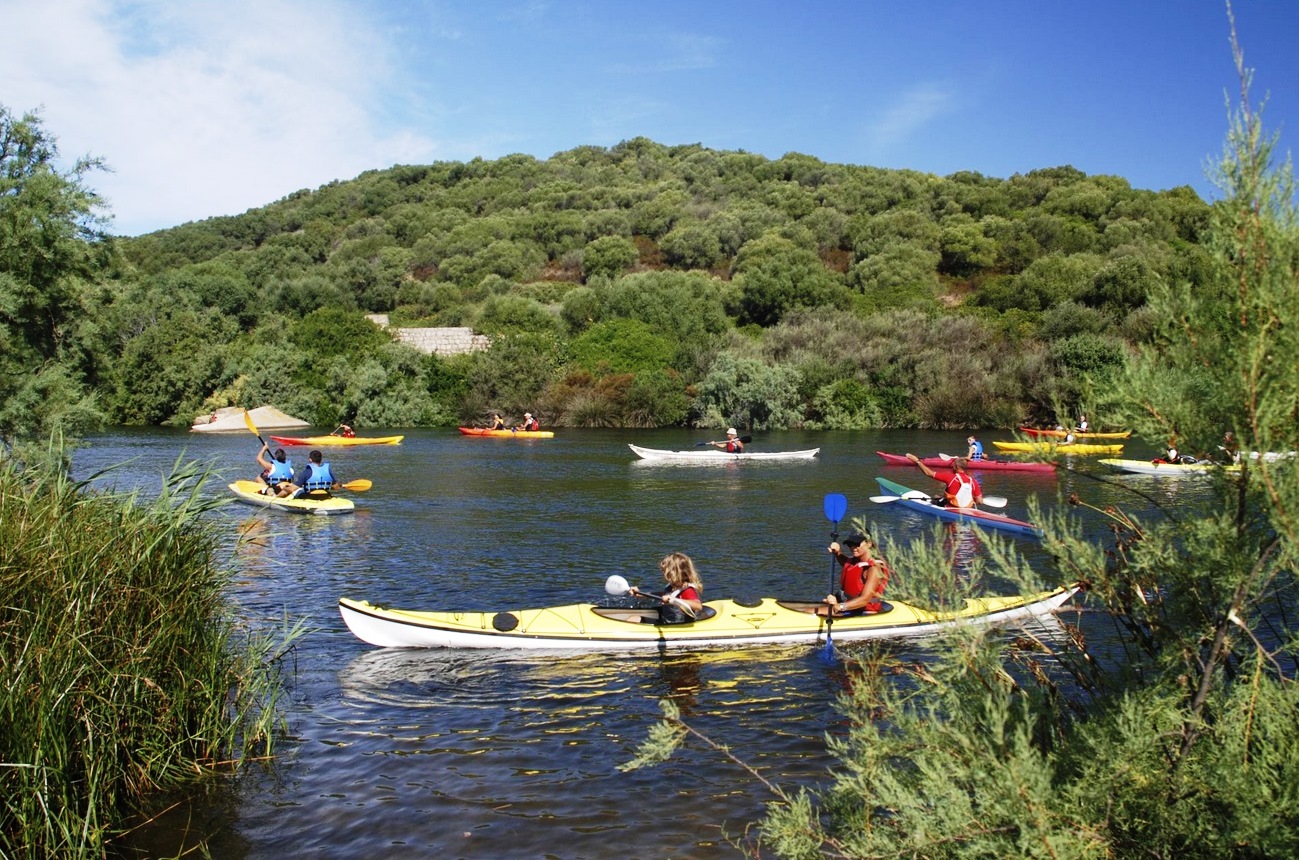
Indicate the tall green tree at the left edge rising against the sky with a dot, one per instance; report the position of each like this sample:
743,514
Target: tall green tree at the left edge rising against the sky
51,245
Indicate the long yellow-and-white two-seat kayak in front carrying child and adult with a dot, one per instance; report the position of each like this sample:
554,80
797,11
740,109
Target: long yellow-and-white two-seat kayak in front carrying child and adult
724,624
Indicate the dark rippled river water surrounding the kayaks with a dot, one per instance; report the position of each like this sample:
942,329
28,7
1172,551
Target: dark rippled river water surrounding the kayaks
468,754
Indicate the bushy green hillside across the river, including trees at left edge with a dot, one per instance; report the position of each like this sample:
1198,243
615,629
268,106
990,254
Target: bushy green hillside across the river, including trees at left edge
638,285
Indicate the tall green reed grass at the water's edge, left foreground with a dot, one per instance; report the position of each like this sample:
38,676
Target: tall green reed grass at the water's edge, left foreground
125,671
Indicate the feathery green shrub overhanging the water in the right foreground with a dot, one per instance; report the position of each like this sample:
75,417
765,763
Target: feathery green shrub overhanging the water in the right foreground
1172,737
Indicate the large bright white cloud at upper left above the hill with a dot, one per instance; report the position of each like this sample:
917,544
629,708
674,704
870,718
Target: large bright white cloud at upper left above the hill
201,108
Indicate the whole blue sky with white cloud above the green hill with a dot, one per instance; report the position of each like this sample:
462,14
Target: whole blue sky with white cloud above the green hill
214,108
